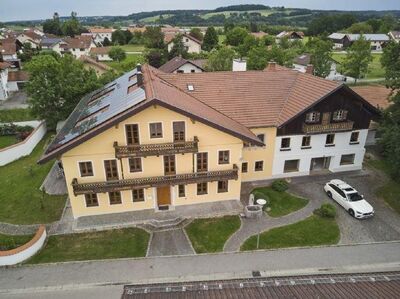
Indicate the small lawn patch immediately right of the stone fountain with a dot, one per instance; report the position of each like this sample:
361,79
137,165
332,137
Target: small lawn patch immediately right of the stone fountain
281,203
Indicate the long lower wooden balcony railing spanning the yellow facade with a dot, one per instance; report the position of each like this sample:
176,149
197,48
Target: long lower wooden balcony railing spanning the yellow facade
158,181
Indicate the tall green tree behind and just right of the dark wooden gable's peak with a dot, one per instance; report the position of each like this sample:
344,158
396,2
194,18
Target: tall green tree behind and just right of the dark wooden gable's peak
358,58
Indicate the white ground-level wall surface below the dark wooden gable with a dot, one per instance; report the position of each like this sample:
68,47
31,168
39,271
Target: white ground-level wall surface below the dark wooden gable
317,150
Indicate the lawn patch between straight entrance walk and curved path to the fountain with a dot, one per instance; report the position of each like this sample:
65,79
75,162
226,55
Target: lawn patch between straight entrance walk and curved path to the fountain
210,235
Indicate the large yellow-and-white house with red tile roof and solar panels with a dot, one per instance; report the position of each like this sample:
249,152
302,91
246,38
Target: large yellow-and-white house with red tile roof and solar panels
155,140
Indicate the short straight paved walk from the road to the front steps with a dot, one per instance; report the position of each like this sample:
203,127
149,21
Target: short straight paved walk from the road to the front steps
170,242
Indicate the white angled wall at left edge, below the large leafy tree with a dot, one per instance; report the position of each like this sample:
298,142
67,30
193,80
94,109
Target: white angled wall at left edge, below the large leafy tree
23,148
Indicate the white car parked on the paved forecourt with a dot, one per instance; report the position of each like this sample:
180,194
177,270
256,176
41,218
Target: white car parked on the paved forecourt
349,198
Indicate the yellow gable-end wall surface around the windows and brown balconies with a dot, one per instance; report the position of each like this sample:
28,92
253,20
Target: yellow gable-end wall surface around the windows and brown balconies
100,148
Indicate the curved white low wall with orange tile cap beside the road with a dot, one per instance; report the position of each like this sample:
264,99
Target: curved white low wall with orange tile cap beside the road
22,253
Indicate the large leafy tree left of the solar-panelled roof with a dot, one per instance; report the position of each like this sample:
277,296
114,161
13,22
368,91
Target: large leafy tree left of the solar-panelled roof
56,85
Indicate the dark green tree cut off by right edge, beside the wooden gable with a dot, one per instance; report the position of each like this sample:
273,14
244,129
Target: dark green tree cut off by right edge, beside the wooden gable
390,122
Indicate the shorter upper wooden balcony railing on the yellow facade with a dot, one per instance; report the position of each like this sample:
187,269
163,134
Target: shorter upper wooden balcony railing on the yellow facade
157,149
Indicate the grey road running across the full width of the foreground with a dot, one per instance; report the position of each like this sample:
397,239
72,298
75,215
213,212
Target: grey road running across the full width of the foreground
297,261
